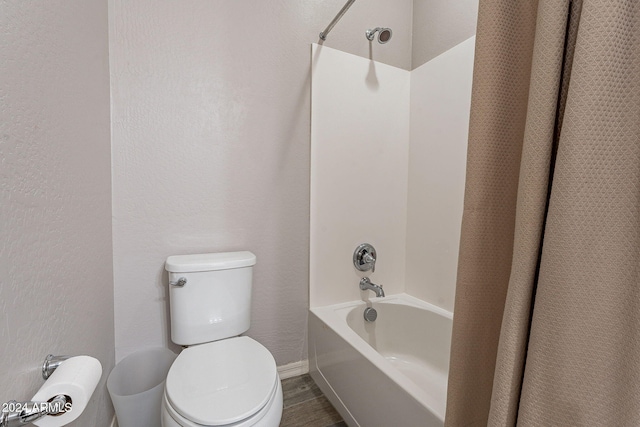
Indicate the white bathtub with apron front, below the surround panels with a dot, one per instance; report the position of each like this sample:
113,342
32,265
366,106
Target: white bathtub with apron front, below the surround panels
391,372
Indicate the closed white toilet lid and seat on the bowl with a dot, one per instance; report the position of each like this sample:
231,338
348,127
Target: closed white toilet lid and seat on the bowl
222,382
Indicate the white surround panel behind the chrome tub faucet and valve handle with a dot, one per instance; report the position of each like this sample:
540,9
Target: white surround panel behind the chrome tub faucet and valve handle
359,149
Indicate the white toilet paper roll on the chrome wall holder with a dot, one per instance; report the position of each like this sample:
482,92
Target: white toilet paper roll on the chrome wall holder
77,378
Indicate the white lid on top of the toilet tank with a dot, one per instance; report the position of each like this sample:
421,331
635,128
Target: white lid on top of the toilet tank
209,262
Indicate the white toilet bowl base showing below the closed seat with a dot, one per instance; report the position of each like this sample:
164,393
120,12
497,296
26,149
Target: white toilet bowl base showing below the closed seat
269,416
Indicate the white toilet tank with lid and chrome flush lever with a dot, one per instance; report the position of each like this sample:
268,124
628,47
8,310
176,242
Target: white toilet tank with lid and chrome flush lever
215,301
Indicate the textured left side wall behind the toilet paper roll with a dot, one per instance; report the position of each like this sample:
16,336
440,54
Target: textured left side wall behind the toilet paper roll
56,283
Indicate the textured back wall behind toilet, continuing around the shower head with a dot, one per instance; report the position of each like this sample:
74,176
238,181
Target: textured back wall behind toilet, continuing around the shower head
211,119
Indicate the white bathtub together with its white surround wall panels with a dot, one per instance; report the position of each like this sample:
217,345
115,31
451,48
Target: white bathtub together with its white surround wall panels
387,168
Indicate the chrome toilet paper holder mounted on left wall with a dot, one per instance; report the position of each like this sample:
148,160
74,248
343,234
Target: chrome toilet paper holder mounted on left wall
16,414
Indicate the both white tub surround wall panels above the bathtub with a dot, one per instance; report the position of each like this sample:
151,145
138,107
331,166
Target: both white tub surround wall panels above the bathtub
387,168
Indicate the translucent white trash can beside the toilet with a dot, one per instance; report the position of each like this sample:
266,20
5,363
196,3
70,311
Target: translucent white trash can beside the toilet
136,387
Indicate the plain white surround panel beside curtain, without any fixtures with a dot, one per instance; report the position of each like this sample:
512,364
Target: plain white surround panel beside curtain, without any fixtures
440,105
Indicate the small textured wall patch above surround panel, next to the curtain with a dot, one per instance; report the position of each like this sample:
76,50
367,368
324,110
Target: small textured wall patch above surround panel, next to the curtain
439,25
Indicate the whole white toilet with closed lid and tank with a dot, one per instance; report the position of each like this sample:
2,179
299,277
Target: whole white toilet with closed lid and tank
221,378
